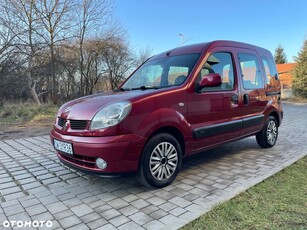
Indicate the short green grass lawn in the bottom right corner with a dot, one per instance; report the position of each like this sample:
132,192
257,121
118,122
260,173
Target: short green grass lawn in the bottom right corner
279,202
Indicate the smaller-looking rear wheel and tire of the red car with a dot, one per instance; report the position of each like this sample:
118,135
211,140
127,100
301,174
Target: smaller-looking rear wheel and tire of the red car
267,137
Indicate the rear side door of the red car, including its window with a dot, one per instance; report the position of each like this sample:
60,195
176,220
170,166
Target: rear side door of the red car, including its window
252,88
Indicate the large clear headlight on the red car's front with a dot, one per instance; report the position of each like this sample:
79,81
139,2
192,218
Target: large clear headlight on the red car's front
111,115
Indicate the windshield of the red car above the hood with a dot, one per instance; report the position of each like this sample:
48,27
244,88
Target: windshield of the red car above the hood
163,72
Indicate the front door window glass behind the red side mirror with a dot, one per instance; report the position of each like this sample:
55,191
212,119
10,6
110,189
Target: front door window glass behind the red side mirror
220,63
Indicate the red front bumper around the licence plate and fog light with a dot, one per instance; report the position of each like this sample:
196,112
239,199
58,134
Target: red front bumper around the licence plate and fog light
122,153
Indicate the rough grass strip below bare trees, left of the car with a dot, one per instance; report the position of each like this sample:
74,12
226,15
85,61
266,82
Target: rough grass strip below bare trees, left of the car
19,113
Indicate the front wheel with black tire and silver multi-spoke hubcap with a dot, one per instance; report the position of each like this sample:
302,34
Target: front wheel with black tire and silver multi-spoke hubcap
160,161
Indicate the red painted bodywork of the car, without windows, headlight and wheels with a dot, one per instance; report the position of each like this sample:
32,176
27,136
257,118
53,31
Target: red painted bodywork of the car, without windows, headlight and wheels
179,109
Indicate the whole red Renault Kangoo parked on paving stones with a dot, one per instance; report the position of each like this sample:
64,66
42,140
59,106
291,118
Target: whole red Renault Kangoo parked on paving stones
176,104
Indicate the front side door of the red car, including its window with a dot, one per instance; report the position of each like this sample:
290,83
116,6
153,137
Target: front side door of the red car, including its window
214,112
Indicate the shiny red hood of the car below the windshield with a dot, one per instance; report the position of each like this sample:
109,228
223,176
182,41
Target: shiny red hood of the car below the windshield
85,108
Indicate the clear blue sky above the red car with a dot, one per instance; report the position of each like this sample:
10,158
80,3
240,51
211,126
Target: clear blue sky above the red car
156,25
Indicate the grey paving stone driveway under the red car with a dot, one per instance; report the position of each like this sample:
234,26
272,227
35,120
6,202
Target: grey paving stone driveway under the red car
35,186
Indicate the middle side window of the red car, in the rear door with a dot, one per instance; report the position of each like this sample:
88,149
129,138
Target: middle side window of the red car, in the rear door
250,71
